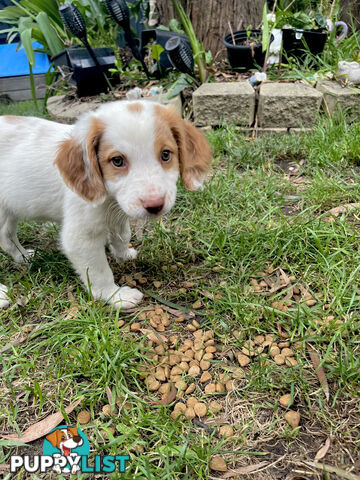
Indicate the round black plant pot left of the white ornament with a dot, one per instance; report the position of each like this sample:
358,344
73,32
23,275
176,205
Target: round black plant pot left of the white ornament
247,52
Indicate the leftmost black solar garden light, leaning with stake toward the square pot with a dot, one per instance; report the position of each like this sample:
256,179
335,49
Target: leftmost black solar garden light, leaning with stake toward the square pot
75,23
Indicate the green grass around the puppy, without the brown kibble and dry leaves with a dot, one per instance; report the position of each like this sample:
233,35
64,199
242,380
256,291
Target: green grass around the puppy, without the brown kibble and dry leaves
237,223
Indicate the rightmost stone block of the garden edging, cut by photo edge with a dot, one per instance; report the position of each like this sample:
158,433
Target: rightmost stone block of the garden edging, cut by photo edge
335,96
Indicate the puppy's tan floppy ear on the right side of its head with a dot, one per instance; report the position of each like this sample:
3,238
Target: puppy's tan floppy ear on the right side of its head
195,157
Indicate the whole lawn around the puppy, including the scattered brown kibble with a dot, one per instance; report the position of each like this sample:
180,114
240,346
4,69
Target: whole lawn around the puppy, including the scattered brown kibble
258,268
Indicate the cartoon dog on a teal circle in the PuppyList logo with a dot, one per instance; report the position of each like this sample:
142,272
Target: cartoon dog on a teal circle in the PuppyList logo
67,445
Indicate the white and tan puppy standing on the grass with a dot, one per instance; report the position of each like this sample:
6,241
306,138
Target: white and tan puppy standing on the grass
121,161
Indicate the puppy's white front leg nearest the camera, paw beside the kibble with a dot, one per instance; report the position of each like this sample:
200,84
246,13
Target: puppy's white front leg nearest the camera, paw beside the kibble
86,251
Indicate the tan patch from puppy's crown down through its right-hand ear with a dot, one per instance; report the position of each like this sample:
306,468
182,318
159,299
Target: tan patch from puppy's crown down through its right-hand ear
194,150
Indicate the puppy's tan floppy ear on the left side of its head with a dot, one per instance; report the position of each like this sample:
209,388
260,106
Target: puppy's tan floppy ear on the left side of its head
78,162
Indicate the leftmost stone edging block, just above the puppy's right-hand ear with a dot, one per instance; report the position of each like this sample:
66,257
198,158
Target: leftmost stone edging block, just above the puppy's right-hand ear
218,103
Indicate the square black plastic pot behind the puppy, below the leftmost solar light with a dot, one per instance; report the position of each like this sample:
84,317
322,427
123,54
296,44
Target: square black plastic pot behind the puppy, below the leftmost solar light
88,78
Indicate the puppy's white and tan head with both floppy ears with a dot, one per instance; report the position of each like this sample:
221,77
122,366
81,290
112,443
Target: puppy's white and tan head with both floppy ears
134,152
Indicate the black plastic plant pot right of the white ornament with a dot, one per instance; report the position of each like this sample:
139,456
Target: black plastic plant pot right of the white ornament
297,42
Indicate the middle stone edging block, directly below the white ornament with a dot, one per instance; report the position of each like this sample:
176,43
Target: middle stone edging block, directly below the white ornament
287,105
